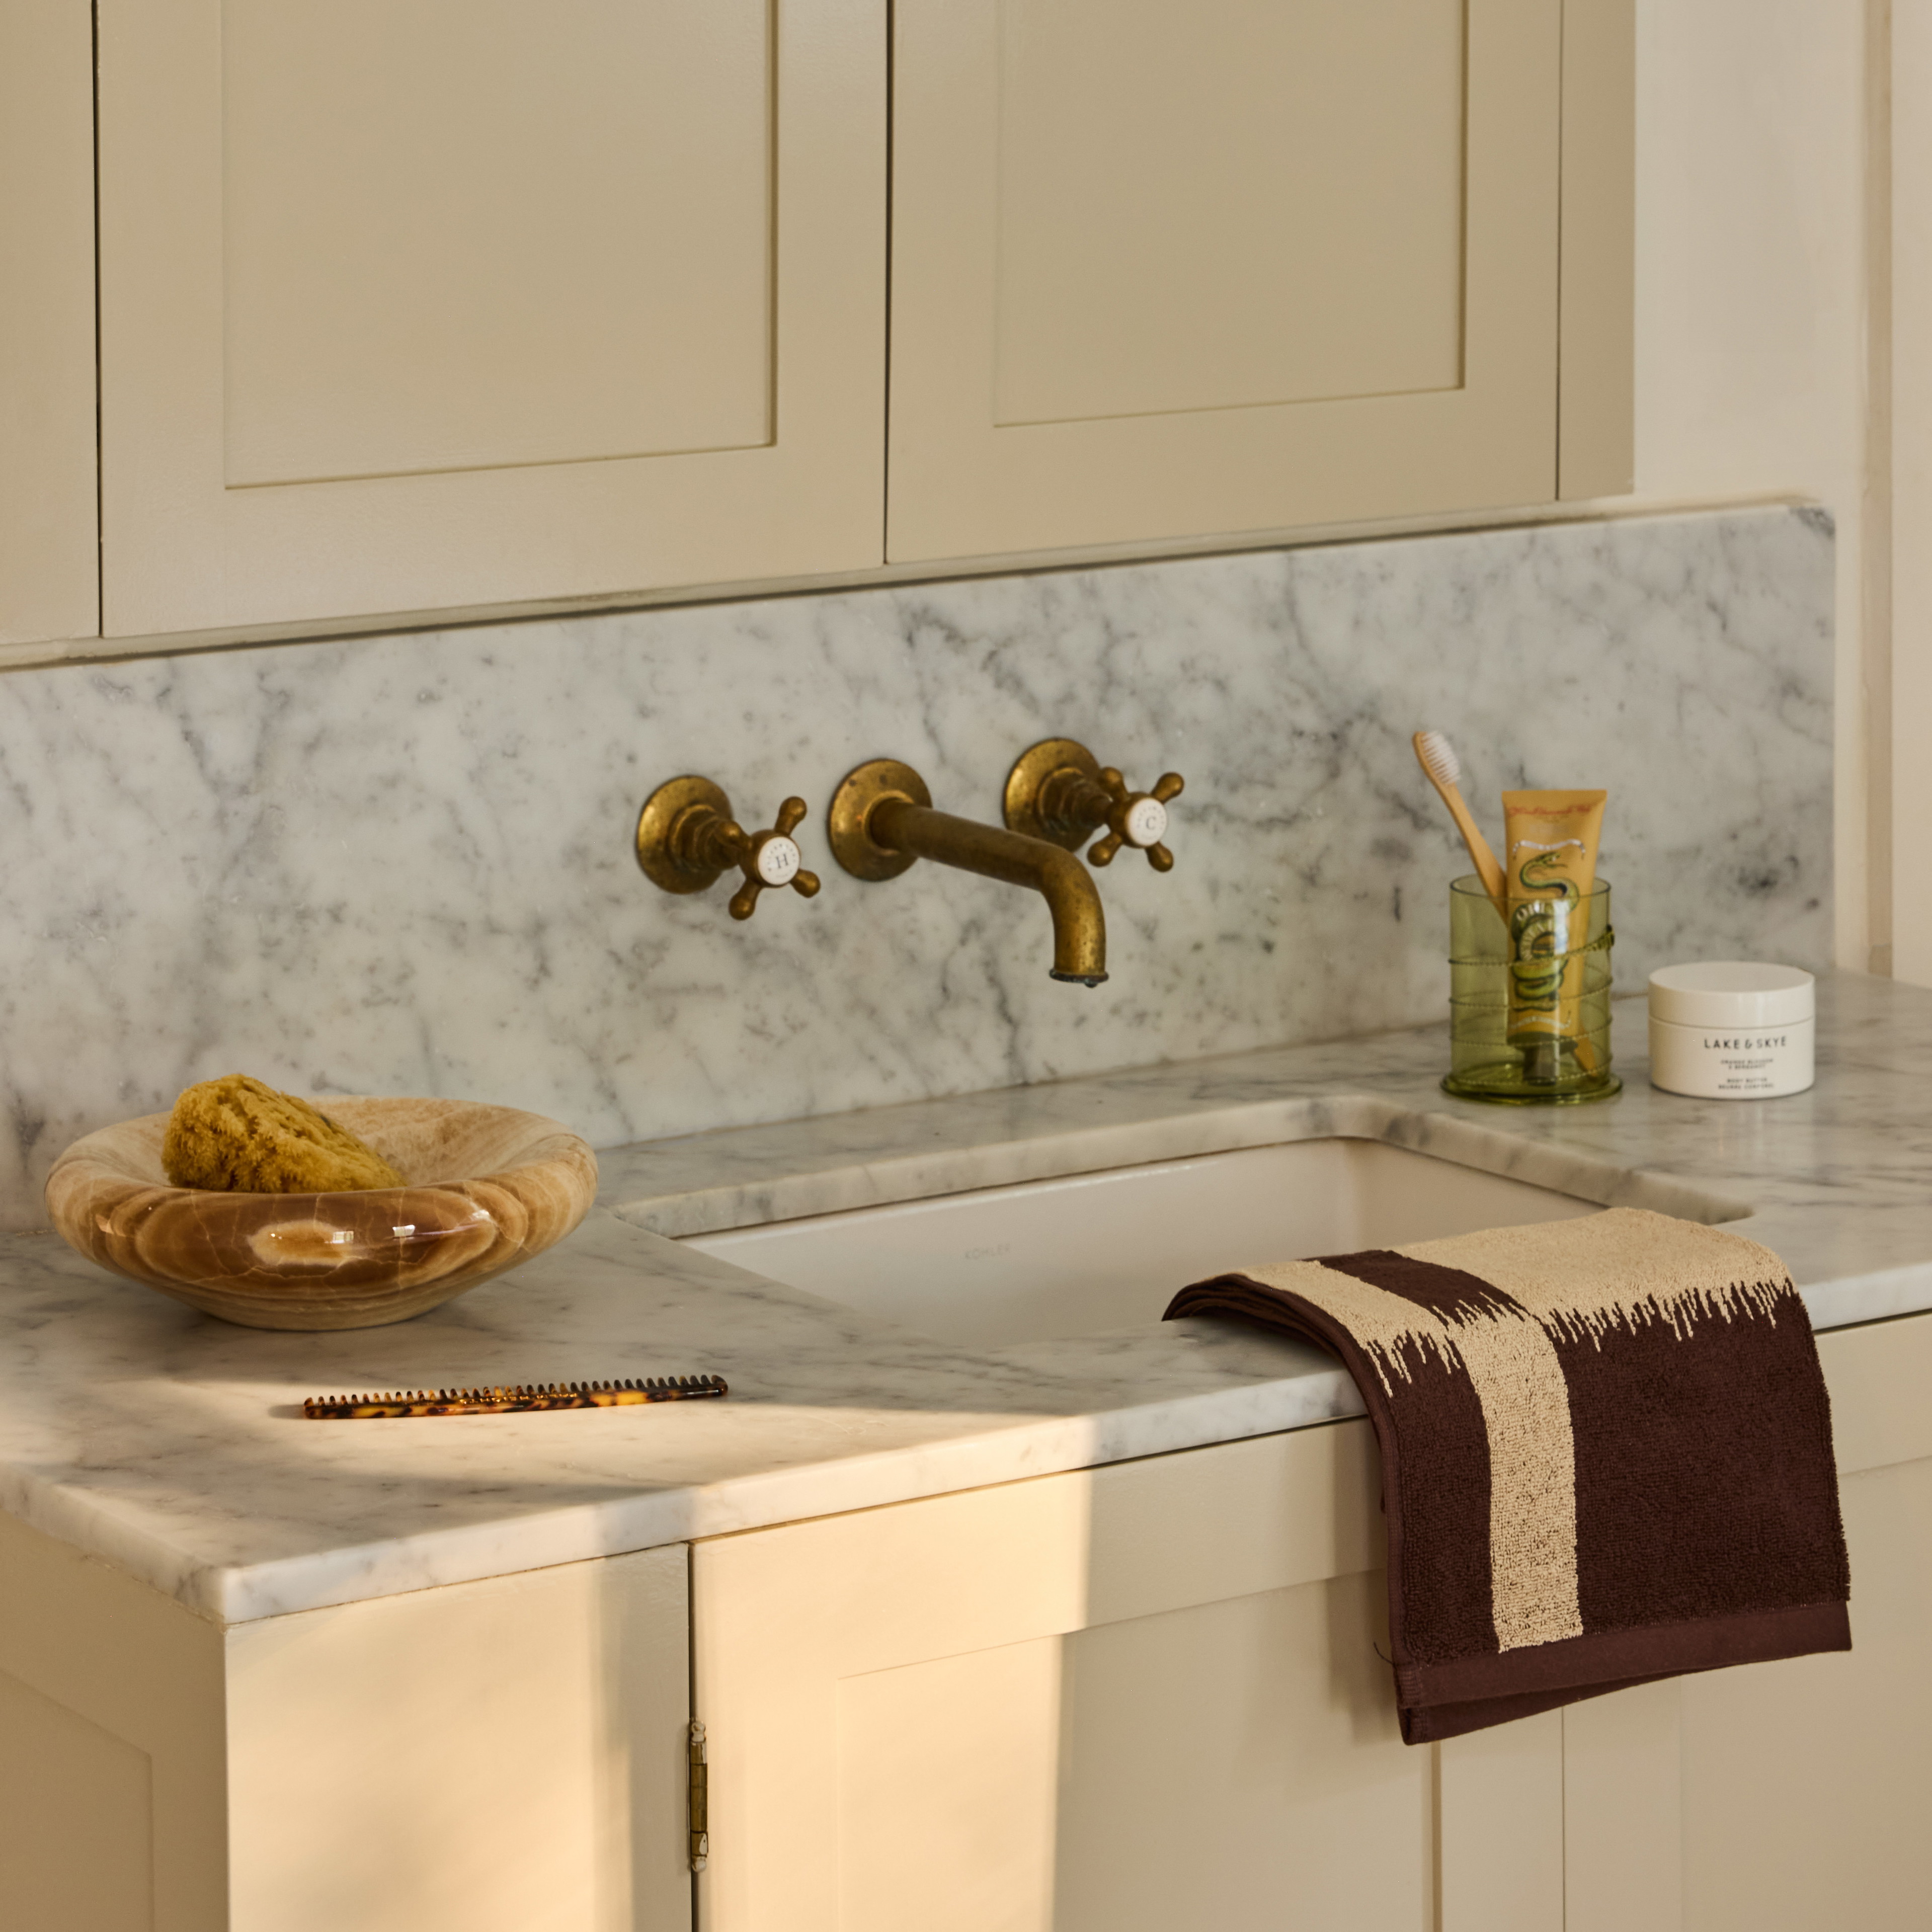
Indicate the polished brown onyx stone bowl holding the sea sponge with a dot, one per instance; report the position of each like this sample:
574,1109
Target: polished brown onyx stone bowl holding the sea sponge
486,1189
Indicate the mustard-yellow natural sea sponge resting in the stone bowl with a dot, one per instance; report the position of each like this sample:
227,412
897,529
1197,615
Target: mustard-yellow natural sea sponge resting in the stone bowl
237,1135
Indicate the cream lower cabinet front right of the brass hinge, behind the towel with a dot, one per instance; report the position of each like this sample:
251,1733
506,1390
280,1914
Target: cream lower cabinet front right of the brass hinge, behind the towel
1149,1697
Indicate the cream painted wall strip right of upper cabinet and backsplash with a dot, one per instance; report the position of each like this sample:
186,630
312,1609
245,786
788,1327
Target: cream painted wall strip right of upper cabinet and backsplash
1751,304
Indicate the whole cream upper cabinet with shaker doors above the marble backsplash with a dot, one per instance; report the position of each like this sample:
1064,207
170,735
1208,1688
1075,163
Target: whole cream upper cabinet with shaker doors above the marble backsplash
414,306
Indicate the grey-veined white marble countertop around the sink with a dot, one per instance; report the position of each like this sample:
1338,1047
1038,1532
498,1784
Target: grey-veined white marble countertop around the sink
173,1446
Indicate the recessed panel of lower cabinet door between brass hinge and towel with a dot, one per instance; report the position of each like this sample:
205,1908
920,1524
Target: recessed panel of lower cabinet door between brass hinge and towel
1232,1765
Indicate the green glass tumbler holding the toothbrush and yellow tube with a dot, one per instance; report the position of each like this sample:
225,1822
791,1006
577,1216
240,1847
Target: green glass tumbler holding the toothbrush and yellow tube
1529,1000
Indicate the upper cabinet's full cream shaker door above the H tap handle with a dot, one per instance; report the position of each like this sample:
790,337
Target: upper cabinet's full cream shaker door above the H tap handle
416,304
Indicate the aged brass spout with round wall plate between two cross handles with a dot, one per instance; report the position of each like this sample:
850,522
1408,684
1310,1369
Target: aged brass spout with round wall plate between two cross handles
882,820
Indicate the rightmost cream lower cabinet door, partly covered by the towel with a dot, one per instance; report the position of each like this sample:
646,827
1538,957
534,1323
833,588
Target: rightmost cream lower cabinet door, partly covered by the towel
1784,1798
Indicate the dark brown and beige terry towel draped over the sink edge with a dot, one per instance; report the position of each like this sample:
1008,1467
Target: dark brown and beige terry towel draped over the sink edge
1606,1456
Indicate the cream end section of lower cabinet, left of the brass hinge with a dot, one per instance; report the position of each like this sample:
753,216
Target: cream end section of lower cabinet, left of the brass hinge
488,1757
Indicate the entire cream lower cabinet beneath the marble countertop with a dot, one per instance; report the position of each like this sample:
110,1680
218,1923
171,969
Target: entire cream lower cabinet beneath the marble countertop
1135,1699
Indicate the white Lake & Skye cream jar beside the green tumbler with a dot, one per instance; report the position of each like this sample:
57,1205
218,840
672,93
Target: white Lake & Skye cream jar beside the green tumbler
1732,1031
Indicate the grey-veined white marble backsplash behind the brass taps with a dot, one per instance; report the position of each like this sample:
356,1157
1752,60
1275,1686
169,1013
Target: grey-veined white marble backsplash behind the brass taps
405,865
